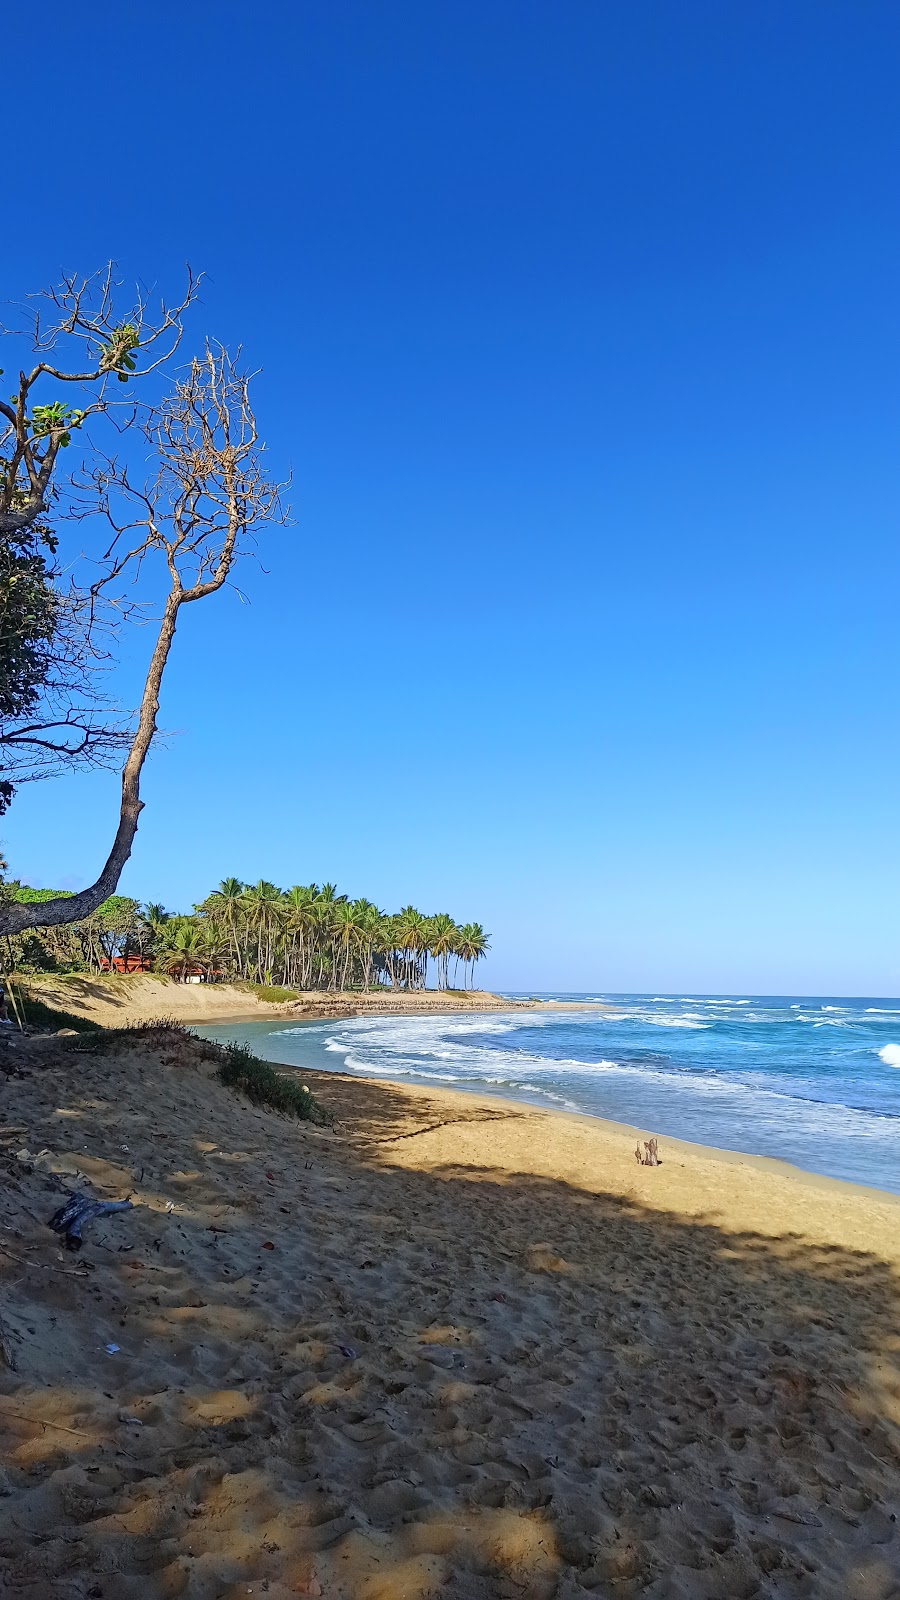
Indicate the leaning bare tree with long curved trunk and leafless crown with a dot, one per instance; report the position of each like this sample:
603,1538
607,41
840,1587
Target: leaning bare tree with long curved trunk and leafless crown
199,511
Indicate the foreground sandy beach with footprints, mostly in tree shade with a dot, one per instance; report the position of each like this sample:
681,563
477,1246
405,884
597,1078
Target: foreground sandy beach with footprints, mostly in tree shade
449,1346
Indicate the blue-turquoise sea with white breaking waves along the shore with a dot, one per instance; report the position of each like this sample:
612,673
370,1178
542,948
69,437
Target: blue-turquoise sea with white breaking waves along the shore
814,1082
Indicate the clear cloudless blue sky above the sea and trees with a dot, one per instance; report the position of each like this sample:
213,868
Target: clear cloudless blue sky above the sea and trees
579,327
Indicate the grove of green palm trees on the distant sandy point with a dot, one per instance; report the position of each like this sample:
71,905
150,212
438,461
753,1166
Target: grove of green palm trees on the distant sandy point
302,938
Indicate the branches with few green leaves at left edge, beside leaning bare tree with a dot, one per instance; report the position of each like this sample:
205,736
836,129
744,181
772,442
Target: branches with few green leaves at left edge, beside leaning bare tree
55,641
